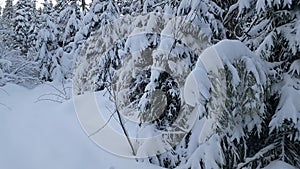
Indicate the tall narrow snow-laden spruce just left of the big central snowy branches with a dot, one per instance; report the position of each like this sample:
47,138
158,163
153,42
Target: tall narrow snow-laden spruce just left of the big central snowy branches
69,22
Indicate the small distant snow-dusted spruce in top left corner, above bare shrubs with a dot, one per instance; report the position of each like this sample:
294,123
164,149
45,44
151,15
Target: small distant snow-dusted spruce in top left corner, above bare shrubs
22,22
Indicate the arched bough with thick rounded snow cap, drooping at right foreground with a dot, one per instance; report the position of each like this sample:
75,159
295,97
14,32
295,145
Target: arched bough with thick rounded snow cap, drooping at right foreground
234,105
